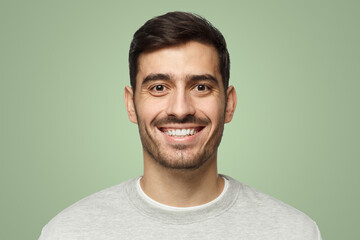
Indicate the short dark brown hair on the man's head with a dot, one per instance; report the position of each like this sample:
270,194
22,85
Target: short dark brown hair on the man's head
174,28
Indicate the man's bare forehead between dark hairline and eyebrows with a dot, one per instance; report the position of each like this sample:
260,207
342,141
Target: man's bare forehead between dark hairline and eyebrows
192,58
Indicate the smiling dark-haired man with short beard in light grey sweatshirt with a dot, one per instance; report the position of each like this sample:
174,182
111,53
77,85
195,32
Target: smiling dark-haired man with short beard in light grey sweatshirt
180,99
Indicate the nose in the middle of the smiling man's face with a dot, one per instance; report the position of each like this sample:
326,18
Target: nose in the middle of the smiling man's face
180,104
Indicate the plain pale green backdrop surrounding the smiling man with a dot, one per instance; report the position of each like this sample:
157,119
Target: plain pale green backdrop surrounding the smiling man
64,131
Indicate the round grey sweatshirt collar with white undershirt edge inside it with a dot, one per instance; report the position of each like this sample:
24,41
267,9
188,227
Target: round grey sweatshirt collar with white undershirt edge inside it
187,215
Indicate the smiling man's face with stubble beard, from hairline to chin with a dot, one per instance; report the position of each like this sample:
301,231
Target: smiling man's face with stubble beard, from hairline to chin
180,105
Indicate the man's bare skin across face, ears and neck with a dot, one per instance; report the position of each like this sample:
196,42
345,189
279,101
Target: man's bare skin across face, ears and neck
180,87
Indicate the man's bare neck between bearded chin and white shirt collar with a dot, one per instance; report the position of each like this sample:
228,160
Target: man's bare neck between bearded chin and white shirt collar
181,188
